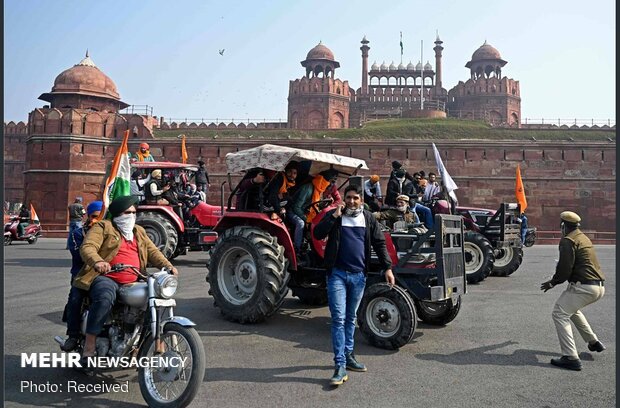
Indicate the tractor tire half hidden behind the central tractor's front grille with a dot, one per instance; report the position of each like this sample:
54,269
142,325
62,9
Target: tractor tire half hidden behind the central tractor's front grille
479,257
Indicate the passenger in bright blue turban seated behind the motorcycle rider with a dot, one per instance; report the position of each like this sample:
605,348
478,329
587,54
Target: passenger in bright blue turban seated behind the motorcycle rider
73,308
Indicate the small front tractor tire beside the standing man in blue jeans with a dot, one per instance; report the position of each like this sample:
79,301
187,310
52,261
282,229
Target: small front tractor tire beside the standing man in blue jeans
387,316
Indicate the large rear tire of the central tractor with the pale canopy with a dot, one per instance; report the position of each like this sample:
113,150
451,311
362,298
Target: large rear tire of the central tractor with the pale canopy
248,274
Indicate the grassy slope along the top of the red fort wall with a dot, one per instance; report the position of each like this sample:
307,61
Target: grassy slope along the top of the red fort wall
411,129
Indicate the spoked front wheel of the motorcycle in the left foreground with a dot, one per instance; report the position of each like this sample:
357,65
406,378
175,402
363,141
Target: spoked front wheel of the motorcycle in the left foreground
163,387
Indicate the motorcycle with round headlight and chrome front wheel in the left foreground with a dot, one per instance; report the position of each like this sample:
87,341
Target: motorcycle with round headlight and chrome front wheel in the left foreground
142,325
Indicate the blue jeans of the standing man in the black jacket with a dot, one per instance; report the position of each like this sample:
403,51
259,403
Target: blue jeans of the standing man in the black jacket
344,293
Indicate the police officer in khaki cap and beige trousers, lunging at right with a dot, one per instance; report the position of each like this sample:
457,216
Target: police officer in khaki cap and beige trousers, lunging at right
579,266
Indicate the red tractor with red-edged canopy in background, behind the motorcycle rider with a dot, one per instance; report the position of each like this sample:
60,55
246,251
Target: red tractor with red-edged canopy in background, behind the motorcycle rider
175,229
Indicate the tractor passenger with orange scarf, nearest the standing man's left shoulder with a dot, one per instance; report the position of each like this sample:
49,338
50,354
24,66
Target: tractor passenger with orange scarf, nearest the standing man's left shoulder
299,214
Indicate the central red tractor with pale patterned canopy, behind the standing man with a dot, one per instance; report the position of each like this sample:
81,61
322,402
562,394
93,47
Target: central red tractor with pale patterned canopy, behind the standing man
253,263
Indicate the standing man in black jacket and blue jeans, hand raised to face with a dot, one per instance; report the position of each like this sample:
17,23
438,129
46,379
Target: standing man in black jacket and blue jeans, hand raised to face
352,232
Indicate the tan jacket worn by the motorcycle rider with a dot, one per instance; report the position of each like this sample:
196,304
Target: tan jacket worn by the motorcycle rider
102,244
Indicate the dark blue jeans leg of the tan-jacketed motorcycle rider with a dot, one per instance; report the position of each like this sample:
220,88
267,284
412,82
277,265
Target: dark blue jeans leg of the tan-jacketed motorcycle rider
102,294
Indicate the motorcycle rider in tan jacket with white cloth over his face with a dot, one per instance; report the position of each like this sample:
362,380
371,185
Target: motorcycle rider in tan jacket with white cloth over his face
108,243
